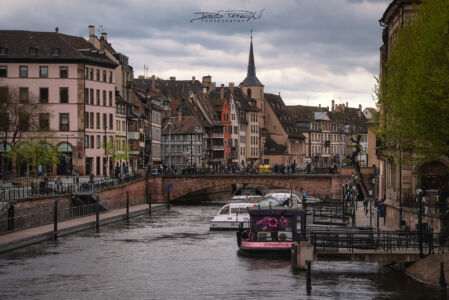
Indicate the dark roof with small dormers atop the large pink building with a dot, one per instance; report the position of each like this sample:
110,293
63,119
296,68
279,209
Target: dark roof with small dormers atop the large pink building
19,42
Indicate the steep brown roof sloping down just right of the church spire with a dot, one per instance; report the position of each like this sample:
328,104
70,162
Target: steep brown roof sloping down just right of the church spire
284,116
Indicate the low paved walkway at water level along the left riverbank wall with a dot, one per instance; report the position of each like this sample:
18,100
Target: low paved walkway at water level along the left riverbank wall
33,235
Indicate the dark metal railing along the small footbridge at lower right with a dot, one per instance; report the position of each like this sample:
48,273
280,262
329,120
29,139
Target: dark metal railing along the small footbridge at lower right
333,240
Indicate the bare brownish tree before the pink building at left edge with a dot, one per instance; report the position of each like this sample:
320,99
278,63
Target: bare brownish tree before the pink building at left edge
19,113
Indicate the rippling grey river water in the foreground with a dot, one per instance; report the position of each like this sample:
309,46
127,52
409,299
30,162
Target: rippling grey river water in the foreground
173,255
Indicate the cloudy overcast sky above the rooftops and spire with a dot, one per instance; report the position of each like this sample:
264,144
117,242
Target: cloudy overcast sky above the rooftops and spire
311,51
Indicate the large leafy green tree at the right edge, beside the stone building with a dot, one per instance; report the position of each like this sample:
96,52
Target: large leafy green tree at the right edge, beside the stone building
413,92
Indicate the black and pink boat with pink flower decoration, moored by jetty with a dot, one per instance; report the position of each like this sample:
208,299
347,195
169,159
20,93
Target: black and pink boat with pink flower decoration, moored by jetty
272,230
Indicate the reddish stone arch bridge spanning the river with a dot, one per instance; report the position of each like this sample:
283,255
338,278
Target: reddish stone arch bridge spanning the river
314,184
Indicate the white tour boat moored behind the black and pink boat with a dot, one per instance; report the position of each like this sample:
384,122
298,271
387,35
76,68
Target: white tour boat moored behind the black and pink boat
232,215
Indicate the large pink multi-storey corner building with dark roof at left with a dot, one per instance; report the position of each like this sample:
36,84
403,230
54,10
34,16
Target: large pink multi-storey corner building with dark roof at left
74,83
